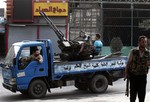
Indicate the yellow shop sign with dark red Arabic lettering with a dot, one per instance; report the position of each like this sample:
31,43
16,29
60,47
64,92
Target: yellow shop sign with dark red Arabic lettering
51,9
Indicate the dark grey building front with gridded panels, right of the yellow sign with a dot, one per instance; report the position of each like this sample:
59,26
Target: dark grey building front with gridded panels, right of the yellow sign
127,19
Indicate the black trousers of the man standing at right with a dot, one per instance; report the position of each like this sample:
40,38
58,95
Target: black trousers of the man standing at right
138,87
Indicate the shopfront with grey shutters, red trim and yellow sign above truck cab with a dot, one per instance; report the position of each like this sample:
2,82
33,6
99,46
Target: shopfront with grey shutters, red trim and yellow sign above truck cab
24,21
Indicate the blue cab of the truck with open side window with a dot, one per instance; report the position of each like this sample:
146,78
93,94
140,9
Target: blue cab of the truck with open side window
18,74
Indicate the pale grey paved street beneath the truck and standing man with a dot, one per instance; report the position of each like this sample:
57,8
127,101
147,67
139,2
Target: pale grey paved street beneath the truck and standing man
114,93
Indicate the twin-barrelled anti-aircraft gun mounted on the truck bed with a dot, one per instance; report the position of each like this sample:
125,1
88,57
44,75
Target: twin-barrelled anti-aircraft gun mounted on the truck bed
69,49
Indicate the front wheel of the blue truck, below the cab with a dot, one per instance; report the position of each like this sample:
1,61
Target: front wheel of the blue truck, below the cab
37,89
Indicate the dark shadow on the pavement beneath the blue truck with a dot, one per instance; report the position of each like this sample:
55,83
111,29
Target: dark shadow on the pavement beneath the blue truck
71,95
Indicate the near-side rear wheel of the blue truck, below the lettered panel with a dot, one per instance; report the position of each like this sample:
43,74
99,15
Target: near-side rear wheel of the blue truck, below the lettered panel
98,84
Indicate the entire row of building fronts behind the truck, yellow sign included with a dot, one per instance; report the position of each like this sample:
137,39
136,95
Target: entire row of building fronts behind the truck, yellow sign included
126,19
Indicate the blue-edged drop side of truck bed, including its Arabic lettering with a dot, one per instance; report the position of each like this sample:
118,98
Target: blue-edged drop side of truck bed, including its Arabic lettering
96,64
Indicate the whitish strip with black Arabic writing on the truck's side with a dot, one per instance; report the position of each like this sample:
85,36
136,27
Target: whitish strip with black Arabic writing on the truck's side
91,65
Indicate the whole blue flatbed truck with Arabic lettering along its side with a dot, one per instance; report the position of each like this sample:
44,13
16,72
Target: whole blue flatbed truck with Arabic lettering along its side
35,79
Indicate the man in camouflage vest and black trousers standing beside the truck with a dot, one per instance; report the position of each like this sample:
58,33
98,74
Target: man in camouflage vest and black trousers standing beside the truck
137,69
